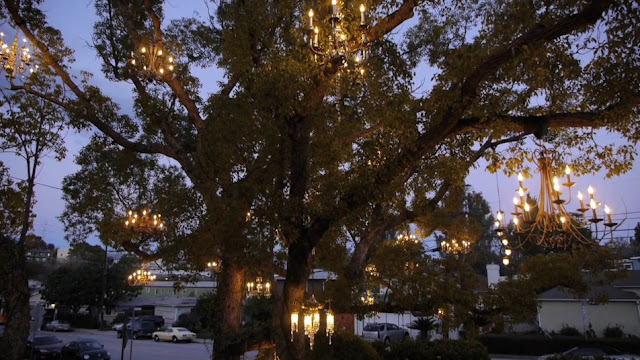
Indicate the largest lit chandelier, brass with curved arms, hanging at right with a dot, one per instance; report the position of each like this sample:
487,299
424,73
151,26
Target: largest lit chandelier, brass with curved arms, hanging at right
547,222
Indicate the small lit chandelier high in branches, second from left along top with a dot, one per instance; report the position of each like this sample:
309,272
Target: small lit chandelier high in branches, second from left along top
152,61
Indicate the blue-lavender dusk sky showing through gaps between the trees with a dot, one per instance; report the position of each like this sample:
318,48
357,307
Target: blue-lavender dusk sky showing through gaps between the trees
75,20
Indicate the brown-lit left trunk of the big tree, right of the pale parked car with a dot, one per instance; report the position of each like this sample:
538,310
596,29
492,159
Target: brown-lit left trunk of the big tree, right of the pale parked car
227,344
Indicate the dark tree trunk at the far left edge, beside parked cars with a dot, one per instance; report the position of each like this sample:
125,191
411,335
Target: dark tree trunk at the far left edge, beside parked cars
14,288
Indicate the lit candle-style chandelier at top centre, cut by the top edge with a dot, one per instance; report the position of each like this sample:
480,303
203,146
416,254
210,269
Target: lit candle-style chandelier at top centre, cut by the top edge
336,43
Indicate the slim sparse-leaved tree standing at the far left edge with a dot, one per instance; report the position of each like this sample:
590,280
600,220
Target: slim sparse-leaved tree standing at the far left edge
30,128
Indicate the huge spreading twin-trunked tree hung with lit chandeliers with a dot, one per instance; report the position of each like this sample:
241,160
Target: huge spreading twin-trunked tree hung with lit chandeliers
305,150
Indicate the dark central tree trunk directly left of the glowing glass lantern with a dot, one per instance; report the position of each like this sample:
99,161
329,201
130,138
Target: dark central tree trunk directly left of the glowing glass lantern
293,296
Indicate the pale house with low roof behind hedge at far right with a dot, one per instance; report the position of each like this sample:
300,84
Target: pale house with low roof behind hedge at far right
560,308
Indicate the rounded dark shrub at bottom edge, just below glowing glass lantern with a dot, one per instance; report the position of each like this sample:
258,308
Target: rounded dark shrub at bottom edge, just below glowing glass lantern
343,347
